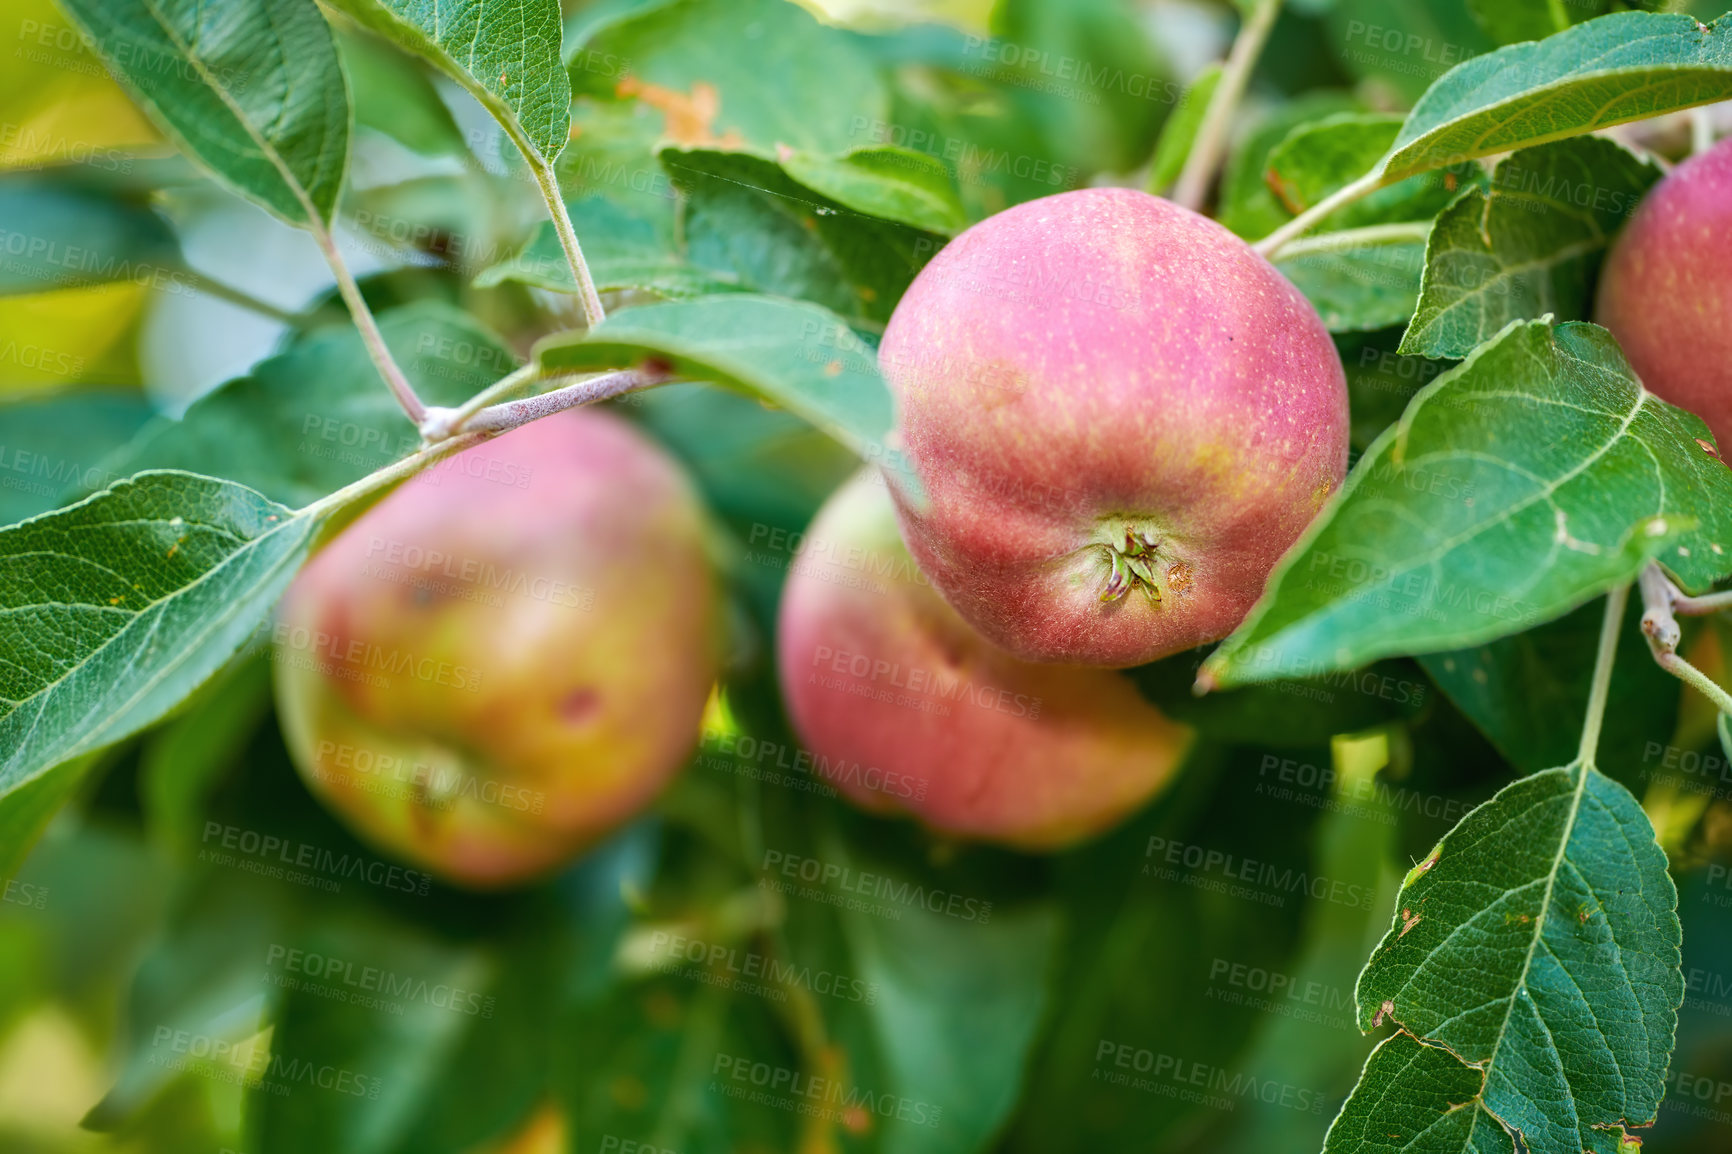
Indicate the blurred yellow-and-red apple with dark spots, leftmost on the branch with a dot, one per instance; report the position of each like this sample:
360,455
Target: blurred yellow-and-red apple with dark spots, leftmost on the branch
510,656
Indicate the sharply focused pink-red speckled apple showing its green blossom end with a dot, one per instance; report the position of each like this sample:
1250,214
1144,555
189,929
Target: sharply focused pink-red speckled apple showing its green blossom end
1121,418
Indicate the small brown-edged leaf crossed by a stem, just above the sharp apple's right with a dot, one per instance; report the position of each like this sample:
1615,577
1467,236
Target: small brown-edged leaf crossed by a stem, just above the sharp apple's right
1328,155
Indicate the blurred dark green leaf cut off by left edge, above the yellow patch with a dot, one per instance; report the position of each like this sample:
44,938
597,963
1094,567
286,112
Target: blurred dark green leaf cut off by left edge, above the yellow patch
61,237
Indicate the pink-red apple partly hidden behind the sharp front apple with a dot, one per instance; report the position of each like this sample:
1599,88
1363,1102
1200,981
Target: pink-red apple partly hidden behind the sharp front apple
908,711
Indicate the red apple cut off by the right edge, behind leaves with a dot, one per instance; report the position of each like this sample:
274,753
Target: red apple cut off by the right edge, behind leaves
1667,290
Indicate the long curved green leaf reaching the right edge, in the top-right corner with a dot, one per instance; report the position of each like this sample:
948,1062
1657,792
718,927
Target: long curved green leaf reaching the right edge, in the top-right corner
1603,74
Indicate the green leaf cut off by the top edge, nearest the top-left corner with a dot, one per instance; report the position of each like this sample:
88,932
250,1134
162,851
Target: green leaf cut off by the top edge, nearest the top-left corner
252,91
